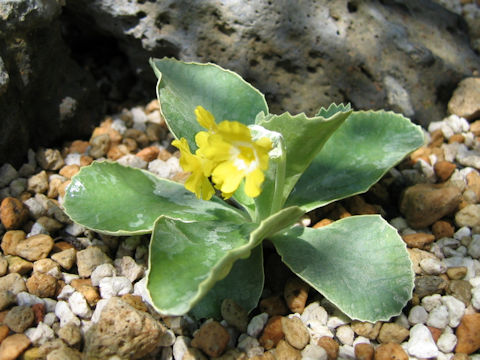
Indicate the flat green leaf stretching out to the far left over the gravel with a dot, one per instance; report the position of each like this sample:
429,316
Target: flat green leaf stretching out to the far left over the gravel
110,198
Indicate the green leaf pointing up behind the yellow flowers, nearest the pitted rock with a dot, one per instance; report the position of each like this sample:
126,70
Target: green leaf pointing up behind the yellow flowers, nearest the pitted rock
184,86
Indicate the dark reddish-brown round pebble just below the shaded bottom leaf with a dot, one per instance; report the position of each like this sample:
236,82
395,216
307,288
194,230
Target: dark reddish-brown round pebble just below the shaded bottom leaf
212,338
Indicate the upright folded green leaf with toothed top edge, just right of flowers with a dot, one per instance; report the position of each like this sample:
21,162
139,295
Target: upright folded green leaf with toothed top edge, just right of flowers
303,138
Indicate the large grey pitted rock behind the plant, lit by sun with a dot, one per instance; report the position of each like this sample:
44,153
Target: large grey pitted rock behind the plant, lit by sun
404,55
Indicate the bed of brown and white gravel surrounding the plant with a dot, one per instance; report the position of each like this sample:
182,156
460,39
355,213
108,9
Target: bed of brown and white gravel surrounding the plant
69,293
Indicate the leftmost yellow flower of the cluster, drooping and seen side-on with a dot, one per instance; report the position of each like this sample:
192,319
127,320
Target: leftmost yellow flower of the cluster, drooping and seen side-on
200,169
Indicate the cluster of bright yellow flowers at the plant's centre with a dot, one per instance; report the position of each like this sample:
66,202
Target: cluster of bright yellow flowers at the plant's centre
227,154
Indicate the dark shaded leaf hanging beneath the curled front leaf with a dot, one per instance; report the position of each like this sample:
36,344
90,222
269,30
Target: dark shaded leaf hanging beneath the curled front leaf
244,284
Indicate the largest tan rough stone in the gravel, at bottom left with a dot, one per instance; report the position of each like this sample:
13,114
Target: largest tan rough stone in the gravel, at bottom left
125,332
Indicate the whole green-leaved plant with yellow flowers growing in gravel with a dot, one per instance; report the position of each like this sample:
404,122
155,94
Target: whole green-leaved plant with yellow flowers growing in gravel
272,169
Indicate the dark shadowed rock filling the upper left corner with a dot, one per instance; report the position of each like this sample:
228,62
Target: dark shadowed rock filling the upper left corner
44,95
